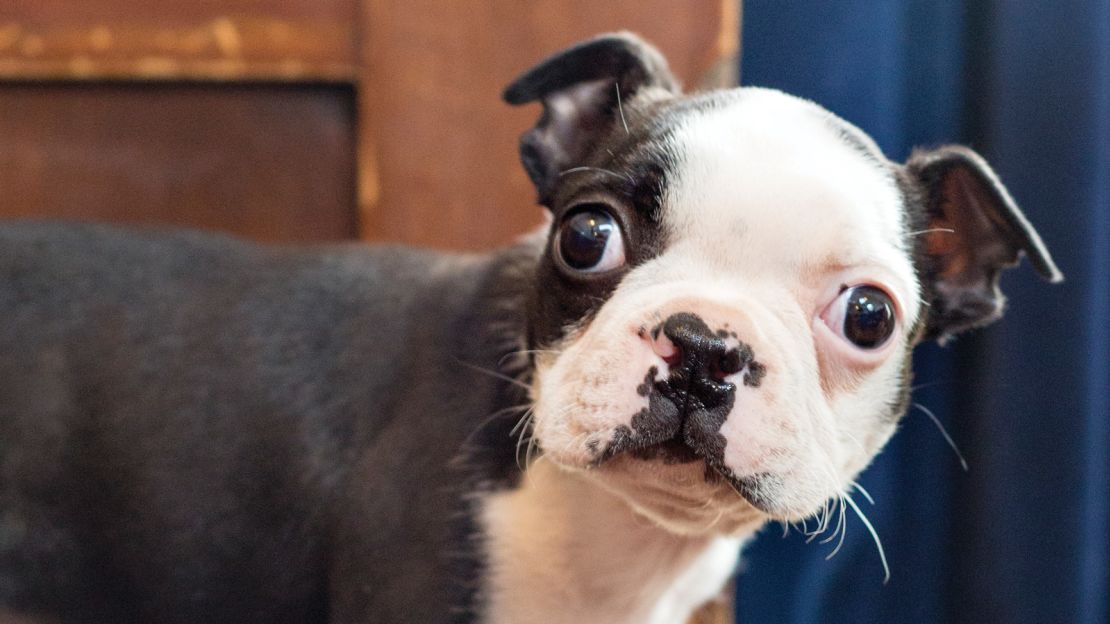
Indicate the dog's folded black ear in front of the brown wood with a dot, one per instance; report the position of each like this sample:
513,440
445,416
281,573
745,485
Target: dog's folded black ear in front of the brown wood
582,89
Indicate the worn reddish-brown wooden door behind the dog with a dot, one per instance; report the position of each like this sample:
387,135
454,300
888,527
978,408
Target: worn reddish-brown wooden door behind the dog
296,120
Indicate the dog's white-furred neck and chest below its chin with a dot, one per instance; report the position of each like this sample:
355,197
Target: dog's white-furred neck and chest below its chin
561,549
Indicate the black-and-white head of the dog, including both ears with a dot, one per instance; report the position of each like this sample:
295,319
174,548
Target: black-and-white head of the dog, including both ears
734,283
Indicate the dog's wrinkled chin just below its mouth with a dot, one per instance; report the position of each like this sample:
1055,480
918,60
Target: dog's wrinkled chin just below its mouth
677,491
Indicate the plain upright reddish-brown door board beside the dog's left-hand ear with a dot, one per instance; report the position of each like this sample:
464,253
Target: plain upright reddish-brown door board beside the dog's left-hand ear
438,148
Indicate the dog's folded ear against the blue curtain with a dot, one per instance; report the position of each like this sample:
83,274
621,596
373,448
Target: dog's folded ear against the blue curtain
974,232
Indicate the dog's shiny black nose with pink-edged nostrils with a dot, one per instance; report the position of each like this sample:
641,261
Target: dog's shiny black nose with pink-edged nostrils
703,360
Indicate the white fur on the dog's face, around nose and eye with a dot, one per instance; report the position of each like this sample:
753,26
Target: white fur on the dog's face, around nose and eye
770,212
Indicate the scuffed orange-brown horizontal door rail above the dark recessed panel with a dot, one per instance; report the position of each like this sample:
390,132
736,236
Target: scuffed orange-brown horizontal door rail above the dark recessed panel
275,41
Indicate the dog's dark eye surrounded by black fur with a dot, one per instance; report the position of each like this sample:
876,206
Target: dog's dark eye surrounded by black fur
590,240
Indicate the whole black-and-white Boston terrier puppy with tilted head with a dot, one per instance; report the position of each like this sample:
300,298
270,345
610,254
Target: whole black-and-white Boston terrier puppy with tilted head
714,331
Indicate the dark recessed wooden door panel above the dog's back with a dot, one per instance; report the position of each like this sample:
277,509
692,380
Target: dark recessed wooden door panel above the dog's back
270,163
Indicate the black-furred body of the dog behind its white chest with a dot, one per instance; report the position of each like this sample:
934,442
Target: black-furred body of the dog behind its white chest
179,416
